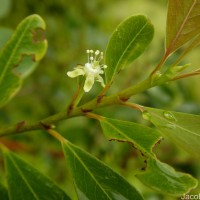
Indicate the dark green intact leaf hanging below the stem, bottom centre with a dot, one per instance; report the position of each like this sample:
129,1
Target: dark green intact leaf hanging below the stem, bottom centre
94,180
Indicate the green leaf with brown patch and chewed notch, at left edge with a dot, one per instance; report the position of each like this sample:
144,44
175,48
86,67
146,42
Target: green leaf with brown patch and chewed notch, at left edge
27,40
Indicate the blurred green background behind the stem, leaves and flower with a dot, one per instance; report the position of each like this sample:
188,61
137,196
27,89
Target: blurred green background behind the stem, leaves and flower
73,27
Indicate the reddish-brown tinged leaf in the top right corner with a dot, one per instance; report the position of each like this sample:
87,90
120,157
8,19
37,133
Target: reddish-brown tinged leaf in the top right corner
182,23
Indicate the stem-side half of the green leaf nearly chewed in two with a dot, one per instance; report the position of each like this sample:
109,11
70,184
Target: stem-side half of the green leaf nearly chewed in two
142,137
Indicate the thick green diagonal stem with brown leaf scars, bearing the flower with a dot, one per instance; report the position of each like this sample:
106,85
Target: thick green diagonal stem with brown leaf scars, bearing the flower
78,111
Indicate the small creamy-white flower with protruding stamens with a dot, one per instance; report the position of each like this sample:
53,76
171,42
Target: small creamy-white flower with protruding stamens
92,70
